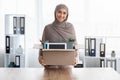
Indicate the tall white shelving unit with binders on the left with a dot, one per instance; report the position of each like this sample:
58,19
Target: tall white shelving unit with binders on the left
14,40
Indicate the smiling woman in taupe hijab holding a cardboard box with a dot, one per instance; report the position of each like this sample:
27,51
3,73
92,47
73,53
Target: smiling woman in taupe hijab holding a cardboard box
59,30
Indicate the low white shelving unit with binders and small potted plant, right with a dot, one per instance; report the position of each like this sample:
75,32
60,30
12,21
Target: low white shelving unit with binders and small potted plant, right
96,60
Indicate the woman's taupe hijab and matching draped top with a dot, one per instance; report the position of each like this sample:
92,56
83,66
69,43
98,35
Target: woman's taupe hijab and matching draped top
59,31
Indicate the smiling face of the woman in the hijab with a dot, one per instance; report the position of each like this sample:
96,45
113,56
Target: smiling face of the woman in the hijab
61,15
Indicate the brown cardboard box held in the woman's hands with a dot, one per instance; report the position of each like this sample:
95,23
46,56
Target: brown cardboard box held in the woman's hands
59,56
